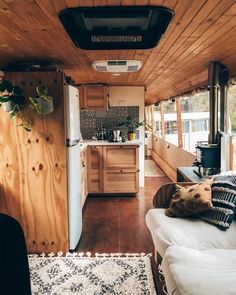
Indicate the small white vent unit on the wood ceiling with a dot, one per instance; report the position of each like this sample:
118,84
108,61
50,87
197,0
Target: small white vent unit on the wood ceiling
117,66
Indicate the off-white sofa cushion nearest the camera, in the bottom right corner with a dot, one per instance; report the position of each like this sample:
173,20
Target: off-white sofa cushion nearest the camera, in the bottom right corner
195,272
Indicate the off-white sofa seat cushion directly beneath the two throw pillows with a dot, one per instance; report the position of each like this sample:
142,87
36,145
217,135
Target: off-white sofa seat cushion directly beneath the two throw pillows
187,232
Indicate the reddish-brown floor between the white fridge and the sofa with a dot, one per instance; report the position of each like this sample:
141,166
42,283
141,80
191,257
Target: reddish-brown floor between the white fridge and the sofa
117,224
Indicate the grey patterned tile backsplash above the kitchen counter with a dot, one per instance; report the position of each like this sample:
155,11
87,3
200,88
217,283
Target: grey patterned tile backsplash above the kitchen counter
92,121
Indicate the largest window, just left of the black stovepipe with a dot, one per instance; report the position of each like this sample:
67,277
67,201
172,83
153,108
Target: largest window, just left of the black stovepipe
195,120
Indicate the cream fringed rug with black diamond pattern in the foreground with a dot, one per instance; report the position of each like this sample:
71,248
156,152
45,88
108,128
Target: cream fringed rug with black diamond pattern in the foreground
128,274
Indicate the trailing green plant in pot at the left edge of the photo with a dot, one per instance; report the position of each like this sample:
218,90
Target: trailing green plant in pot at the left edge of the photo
13,101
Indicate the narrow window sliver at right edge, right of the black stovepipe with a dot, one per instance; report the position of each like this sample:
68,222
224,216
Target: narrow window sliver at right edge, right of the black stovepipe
232,115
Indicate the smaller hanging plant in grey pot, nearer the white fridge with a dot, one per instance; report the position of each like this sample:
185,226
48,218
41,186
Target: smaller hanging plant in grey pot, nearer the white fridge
42,103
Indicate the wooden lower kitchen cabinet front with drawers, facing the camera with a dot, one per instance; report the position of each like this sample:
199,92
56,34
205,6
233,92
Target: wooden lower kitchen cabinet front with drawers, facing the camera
113,169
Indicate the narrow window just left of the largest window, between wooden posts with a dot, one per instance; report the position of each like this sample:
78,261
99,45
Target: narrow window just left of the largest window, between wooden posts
170,121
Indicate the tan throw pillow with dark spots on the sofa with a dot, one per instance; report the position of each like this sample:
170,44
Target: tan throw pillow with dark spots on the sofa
190,200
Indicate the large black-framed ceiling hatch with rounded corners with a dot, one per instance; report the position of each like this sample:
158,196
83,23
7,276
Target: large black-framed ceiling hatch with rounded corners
119,27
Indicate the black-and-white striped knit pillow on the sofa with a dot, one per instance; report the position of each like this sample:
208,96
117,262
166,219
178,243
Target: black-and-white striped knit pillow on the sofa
223,200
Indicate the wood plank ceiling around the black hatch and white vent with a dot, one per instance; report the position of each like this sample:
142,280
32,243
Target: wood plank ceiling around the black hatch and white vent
202,30
